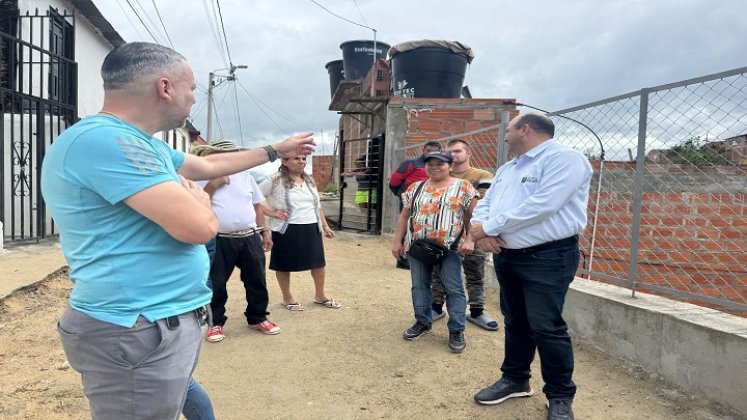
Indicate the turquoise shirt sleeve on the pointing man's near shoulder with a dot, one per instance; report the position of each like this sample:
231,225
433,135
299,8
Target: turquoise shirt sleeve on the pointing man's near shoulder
116,167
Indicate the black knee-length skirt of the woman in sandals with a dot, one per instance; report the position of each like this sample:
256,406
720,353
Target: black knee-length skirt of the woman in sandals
300,248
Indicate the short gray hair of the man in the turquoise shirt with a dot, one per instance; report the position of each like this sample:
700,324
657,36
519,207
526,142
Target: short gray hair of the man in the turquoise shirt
130,62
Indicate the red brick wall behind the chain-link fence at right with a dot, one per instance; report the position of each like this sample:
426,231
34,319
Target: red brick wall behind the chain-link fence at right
692,241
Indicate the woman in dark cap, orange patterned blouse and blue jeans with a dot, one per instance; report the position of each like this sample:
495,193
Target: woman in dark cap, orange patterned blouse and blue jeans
438,209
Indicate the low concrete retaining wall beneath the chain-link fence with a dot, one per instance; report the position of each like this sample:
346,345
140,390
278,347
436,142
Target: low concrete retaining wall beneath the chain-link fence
696,348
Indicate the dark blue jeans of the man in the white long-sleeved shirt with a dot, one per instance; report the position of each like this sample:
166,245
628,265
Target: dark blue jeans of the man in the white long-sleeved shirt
533,285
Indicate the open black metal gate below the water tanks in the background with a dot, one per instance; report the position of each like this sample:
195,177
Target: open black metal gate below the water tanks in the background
361,177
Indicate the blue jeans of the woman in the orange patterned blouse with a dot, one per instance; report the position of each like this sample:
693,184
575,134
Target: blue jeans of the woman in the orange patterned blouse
450,272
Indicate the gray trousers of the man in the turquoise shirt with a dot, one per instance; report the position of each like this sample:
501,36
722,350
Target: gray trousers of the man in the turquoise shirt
133,373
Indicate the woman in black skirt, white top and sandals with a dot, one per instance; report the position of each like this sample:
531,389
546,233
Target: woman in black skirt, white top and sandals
297,224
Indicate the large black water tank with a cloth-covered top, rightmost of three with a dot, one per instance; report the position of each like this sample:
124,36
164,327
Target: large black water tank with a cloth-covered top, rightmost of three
429,69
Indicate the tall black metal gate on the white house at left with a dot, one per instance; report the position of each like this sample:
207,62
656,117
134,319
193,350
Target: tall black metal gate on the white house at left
38,100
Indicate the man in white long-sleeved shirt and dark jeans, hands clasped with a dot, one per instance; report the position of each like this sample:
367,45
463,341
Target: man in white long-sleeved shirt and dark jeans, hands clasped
530,219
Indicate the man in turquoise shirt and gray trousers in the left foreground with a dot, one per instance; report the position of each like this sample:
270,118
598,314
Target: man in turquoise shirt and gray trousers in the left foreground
131,226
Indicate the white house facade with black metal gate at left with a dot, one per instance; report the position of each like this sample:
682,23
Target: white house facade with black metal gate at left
46,48
